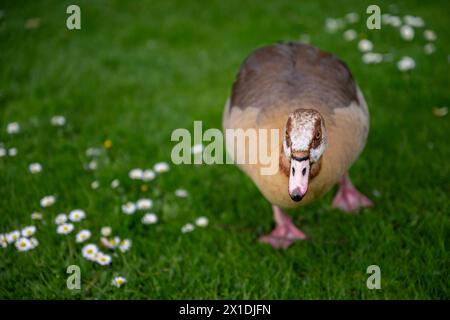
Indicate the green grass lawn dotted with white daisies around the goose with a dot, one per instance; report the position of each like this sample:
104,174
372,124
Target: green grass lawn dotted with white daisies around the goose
139,69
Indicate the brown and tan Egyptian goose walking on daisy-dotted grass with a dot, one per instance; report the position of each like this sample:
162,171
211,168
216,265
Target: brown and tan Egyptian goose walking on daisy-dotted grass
311,98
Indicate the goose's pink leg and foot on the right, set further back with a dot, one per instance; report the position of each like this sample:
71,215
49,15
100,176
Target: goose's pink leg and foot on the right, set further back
348,198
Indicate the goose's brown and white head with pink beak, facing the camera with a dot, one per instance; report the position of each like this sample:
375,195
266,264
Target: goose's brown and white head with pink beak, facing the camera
304,144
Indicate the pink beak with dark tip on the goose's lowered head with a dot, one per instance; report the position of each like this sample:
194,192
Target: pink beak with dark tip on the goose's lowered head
298,178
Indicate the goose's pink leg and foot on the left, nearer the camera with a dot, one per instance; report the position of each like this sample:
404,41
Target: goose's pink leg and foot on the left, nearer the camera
285,233
